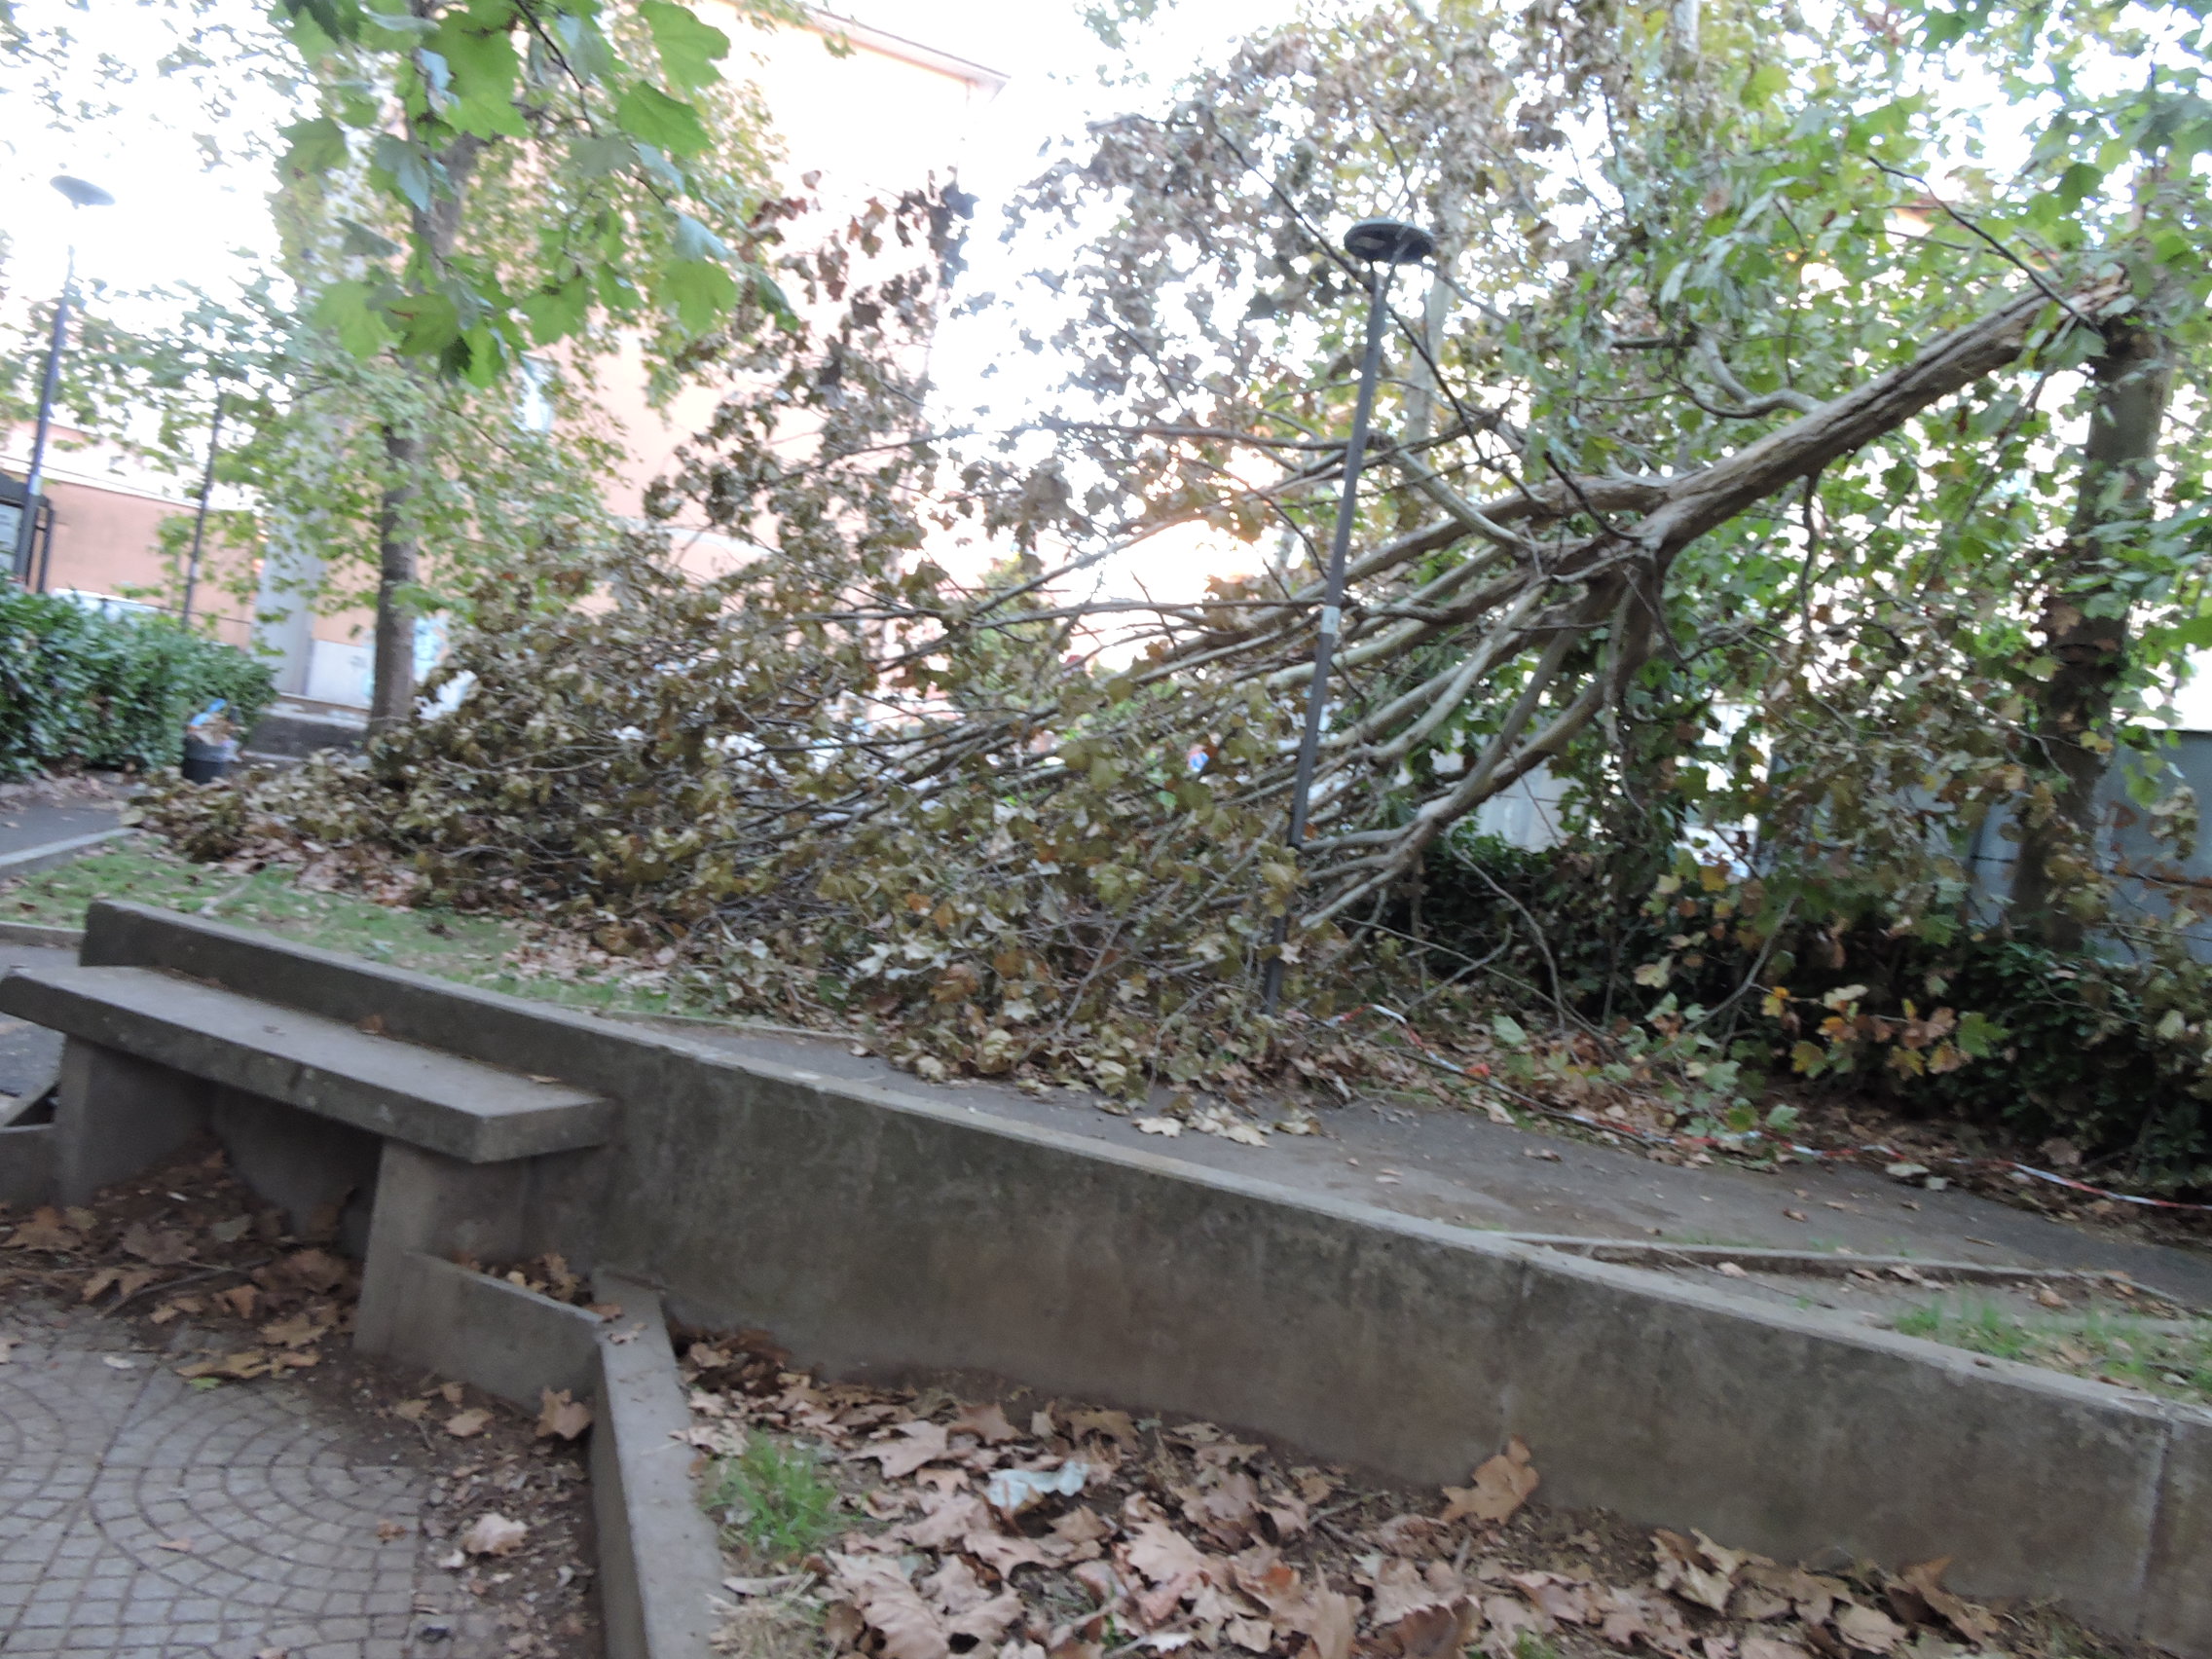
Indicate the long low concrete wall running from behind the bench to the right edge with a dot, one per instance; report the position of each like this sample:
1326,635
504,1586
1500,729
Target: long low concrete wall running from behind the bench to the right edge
884,1235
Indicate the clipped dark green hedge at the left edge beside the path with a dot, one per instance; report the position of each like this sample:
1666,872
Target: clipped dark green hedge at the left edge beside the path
79,689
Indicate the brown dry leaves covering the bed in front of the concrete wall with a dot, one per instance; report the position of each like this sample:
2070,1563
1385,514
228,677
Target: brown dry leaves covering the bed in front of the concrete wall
1078,1534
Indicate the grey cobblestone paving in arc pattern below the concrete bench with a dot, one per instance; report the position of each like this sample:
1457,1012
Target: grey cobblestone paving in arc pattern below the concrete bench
143,1519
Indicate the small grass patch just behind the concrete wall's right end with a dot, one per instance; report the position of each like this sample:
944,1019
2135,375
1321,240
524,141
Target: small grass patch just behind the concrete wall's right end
2169,1357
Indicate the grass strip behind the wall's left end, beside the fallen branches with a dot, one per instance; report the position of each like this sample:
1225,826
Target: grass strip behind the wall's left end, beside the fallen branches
472,950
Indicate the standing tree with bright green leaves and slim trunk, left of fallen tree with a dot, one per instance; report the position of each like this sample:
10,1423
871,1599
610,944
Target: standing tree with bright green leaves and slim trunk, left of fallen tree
497,178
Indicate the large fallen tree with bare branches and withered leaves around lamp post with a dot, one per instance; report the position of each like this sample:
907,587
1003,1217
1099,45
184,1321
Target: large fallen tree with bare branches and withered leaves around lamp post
912,769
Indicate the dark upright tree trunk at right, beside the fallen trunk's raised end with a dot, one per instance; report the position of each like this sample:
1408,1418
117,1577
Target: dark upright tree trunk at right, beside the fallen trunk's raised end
2087,625
